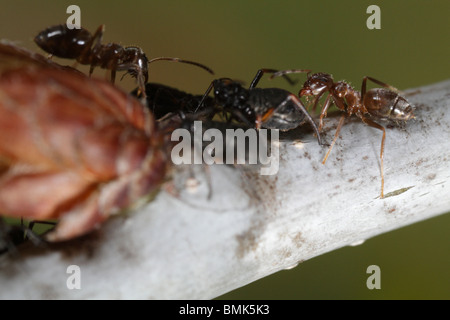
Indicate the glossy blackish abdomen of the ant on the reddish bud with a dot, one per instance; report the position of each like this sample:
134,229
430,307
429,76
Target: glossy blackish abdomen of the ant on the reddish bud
63,42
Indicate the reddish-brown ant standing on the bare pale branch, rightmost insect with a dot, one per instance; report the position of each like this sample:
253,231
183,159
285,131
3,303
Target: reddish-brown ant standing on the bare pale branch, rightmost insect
379,103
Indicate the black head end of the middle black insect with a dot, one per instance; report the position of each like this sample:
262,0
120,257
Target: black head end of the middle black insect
229,93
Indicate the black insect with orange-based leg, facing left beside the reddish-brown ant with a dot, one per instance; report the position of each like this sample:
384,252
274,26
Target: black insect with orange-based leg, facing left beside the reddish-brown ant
270,108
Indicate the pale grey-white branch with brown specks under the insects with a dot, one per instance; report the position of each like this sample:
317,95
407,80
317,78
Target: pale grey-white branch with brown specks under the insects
189,247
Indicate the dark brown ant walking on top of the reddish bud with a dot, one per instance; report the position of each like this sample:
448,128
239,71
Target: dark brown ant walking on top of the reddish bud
87,49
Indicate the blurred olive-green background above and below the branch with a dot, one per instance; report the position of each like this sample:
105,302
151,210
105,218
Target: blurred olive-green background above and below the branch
236,38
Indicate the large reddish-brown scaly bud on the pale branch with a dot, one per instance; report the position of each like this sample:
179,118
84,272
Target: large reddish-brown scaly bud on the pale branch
73,148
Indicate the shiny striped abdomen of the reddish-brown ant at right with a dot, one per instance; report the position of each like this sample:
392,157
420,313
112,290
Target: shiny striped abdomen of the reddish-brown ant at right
386,104
